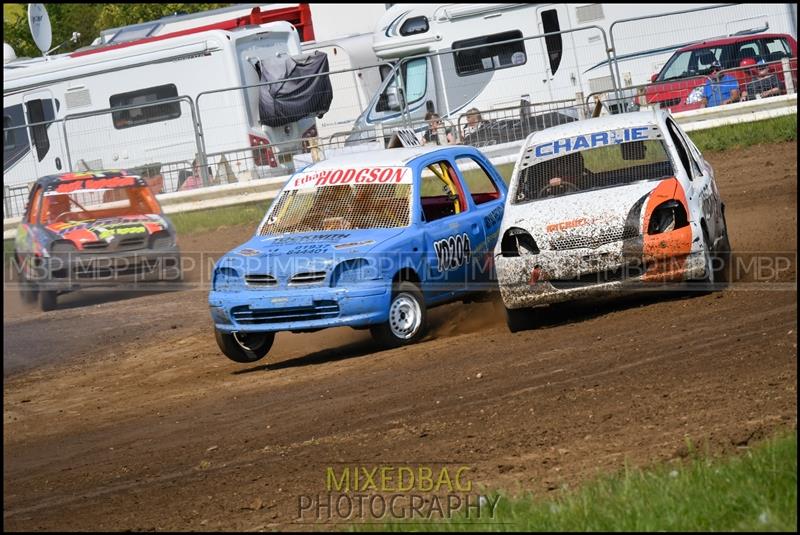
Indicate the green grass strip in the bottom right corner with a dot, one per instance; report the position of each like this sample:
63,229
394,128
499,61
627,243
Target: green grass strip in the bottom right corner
756,491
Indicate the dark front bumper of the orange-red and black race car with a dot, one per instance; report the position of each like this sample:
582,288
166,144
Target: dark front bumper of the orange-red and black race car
67,272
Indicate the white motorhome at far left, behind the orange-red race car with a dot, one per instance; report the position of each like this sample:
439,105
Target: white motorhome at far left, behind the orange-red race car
140,72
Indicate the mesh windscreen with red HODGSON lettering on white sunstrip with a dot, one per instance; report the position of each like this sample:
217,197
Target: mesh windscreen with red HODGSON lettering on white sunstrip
335,199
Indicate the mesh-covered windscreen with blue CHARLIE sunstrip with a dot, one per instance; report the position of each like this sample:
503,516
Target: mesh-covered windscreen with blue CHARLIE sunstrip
558,172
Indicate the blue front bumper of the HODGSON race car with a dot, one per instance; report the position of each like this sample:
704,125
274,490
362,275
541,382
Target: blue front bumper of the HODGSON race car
305,309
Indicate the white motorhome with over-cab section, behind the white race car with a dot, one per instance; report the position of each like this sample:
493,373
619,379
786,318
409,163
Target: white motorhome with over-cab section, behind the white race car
462,56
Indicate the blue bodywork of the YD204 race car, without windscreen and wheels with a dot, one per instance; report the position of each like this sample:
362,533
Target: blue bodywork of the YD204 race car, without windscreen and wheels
352,271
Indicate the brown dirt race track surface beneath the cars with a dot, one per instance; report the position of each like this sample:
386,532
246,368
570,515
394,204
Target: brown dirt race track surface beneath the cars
120,413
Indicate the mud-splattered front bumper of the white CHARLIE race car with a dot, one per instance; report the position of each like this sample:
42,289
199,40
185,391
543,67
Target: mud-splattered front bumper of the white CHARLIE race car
558,276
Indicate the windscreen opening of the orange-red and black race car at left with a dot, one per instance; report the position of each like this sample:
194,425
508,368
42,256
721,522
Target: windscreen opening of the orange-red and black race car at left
61,206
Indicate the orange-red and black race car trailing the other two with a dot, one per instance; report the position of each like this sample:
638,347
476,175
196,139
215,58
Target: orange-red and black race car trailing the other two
100,228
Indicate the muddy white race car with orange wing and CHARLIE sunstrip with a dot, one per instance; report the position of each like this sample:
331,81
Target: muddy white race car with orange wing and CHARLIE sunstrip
604,205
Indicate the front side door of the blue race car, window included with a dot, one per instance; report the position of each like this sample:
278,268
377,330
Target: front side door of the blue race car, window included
451,229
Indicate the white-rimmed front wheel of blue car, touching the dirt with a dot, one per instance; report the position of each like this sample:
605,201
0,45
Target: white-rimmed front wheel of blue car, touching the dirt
408,318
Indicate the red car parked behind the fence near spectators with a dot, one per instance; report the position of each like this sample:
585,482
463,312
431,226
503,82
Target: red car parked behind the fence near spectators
679,84
